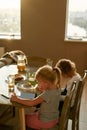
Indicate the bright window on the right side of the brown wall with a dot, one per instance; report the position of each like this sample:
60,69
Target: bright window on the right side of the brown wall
76,20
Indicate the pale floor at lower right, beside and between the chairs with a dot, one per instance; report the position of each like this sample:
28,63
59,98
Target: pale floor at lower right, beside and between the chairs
83,111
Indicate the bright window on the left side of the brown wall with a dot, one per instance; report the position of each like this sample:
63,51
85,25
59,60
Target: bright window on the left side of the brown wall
10,19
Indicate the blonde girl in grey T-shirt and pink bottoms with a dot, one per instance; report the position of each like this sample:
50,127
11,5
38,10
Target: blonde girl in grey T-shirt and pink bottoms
48,80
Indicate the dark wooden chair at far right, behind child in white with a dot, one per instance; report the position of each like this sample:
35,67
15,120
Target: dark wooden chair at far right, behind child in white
75,110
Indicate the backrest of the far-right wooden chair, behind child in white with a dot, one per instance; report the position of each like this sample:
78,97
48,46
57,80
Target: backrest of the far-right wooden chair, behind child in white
76,108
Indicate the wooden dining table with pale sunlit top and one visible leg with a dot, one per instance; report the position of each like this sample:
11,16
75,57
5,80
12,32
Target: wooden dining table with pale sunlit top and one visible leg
4,72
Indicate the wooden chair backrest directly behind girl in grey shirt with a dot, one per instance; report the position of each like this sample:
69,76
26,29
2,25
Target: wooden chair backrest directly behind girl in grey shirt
63,122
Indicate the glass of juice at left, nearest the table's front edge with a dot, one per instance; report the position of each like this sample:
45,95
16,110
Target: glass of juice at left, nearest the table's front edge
11,83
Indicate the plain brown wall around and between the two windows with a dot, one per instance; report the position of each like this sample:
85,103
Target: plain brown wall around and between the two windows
43,27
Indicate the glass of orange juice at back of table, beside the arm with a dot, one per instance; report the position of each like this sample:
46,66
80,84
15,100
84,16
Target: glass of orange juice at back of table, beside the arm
21,63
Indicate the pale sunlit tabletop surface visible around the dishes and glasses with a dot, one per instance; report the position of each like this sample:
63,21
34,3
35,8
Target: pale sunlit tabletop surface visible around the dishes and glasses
4,72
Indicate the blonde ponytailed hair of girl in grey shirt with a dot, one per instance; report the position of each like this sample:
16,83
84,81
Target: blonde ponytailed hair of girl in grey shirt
48,73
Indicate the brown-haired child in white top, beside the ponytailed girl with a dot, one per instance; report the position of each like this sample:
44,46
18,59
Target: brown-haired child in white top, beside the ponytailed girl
69,74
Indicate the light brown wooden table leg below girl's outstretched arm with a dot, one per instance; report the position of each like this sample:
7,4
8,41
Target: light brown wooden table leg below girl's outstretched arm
22,118
